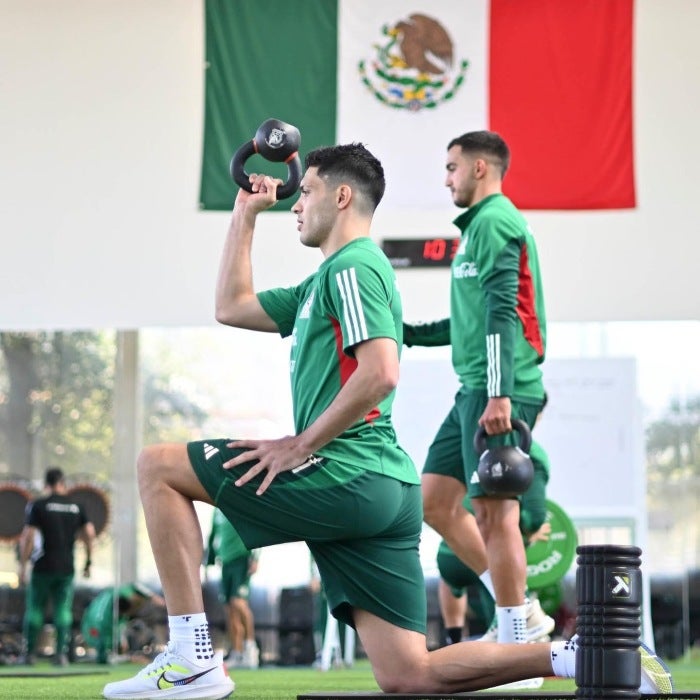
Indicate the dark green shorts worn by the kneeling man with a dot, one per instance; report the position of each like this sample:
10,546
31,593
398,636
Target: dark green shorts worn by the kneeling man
363,528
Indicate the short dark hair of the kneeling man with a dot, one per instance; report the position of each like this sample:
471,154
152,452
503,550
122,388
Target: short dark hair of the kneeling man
351,163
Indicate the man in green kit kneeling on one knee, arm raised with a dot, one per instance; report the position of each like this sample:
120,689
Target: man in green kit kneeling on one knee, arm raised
341,483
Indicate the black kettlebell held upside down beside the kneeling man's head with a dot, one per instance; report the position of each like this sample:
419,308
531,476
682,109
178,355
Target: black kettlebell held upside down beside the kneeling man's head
277,142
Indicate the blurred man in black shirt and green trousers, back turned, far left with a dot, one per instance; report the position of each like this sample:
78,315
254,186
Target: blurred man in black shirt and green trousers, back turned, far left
52,525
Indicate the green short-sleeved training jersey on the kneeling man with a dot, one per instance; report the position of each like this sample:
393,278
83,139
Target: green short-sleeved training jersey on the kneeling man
352,297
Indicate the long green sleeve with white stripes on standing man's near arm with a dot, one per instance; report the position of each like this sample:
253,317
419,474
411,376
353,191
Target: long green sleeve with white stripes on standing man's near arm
498,259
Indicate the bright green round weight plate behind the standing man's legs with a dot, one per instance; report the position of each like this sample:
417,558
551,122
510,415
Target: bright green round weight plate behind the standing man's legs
548,560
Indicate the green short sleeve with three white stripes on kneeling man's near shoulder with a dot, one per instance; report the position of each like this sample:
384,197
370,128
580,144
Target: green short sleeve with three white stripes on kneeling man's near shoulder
361,298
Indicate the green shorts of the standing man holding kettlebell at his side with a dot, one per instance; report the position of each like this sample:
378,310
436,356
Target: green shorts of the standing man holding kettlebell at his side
452,451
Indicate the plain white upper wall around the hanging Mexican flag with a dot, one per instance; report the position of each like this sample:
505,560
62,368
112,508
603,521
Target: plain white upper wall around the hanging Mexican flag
101,129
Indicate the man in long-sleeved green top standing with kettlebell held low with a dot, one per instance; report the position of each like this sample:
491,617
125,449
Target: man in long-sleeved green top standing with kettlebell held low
497,332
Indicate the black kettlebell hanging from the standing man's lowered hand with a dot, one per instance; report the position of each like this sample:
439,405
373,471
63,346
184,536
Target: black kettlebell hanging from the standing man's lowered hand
505,471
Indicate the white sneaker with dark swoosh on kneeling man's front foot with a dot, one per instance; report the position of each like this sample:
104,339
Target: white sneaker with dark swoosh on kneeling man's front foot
170,675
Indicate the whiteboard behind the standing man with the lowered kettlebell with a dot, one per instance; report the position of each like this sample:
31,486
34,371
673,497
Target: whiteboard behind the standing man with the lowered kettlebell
591,429
